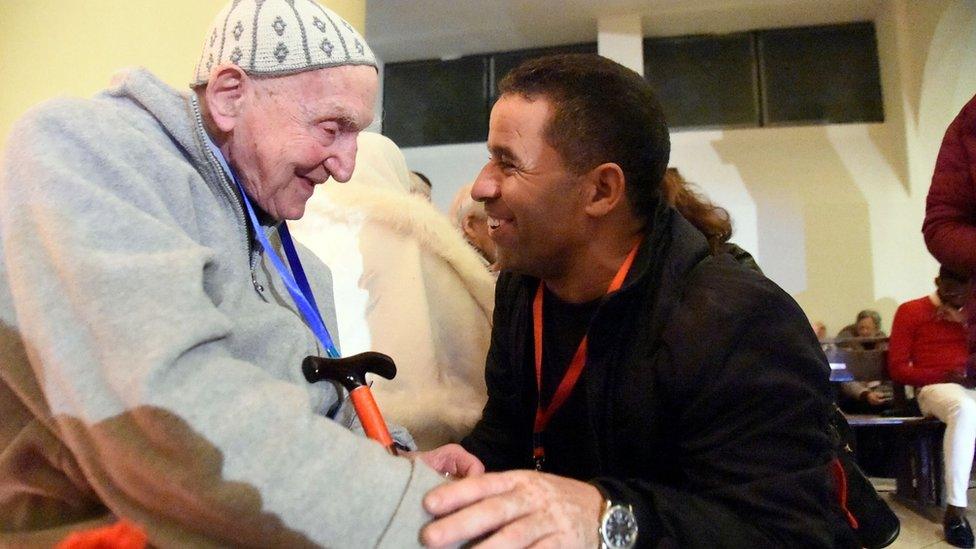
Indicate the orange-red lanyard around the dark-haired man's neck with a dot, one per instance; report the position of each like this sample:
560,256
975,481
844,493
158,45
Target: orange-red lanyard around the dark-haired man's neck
565,388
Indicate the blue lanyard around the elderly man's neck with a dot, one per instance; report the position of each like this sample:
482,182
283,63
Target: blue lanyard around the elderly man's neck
295,281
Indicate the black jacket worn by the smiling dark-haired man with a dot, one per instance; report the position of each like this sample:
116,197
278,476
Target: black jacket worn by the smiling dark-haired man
706,392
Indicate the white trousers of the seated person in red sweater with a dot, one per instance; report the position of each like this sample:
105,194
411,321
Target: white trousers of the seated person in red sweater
956,407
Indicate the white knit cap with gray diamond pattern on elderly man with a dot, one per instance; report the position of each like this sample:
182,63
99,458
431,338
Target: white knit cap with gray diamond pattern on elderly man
279,37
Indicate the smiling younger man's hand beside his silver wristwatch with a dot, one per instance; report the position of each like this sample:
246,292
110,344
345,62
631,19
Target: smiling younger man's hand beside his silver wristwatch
514,509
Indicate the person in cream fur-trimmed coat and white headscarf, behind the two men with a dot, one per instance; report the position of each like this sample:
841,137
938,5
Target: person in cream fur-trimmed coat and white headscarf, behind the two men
407,285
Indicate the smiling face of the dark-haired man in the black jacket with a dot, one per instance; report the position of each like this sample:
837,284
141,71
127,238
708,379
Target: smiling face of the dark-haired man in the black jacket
533,201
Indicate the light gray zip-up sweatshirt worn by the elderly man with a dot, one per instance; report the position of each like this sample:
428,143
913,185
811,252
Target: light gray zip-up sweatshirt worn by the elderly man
150,357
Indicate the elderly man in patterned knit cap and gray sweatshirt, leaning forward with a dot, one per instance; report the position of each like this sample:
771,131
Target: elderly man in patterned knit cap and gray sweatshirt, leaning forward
150,349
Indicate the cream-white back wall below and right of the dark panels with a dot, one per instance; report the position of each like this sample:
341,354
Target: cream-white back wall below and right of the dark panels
832,213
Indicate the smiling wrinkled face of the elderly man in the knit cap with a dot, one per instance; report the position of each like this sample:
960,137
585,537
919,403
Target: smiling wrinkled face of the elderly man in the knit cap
296,131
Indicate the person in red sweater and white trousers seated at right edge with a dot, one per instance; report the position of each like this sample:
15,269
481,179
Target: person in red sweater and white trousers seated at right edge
928,350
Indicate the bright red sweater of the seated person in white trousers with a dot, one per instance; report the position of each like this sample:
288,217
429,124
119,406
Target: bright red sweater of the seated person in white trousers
924,347
